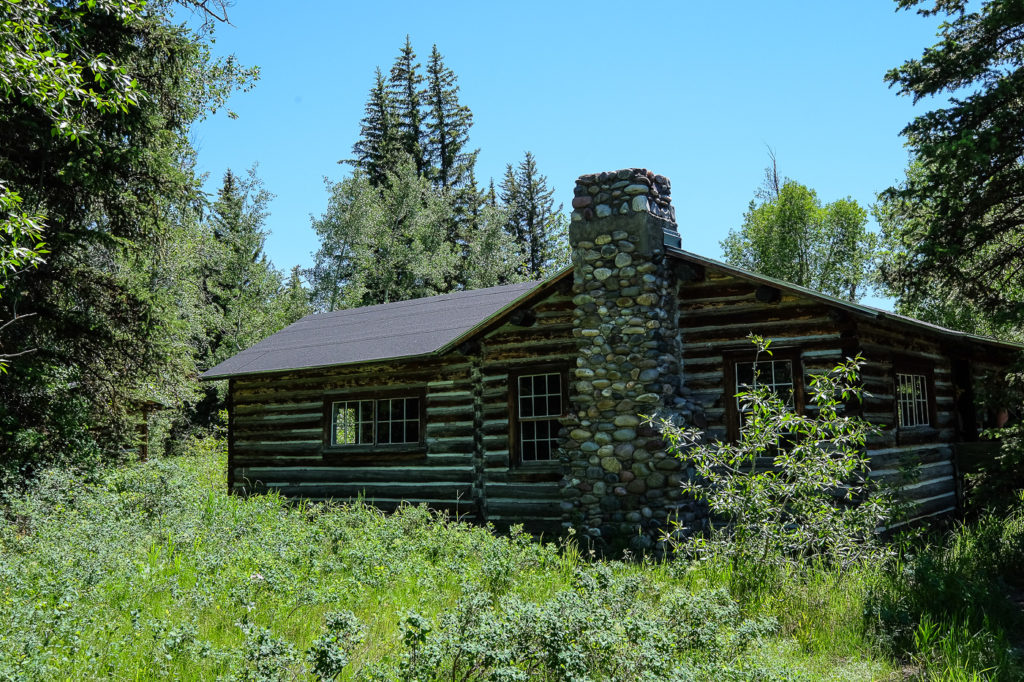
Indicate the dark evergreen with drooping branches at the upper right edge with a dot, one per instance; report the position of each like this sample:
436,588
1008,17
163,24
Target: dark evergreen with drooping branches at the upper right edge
957,220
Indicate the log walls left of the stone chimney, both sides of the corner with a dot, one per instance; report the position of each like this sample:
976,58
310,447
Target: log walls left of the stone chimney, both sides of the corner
464,465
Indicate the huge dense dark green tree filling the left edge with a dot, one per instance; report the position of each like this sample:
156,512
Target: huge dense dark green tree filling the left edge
108,161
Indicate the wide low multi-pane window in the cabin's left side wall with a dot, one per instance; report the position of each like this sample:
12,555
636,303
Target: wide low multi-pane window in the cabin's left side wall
378,421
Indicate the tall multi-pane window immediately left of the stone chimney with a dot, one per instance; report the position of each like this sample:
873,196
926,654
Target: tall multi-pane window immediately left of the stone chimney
539,407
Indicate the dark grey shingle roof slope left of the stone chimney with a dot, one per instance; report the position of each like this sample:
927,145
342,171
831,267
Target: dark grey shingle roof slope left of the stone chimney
390,331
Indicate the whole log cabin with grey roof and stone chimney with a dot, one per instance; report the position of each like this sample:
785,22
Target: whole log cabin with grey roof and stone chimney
521,404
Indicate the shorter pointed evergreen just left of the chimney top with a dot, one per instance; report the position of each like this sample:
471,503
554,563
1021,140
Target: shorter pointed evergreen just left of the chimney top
533,220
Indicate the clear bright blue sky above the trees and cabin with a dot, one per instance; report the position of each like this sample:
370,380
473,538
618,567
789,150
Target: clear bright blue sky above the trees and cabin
695,92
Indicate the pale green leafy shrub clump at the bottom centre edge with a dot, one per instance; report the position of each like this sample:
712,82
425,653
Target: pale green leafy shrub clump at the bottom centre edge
605,627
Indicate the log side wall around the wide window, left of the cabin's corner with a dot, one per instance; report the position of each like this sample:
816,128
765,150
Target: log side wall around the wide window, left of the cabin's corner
278,437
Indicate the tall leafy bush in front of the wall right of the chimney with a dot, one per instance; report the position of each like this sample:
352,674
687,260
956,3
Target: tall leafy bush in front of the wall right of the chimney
794,487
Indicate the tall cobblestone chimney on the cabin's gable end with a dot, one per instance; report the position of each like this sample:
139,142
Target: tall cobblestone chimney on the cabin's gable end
622,487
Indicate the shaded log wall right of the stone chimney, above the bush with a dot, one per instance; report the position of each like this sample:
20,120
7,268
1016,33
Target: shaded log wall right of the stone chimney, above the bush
717,313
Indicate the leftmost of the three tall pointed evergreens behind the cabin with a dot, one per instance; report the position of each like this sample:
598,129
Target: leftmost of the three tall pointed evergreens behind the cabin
379,146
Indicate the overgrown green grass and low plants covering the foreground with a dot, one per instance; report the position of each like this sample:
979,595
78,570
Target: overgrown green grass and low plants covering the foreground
152,572
